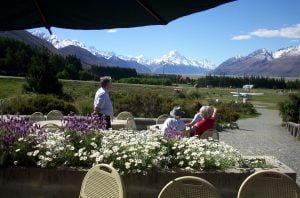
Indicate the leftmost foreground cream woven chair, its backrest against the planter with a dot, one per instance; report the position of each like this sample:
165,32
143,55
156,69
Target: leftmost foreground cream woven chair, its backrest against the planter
102,181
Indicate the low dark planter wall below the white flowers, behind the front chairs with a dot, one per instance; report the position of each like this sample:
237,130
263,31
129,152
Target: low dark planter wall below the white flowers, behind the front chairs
66,183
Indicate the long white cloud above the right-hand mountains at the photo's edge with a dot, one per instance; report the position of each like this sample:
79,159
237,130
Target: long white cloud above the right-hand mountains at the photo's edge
286,32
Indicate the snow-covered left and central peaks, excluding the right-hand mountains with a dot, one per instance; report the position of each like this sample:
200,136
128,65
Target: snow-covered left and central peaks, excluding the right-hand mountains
173,58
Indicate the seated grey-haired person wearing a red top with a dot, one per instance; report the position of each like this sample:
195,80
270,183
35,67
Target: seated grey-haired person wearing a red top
208,114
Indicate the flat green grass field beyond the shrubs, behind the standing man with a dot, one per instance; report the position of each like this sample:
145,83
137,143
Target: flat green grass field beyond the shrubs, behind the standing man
83,92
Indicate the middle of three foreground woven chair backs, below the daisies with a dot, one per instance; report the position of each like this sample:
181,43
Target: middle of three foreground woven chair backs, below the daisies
189,187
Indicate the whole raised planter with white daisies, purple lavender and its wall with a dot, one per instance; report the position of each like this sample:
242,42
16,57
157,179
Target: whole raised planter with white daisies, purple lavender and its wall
40,163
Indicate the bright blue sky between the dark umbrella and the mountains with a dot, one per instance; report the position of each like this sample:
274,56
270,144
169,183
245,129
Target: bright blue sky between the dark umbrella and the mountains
236,28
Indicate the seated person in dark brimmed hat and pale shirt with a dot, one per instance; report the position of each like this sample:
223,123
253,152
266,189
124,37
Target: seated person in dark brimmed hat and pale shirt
174,125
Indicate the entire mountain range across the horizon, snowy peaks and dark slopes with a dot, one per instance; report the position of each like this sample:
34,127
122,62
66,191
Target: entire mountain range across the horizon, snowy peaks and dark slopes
283,62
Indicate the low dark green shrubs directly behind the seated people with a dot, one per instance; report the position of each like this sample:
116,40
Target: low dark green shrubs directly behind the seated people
148,104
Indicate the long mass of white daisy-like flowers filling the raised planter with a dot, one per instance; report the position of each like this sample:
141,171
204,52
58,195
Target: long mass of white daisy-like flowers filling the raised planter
130,152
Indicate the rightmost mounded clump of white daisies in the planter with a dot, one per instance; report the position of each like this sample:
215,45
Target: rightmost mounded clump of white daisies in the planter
202,154
